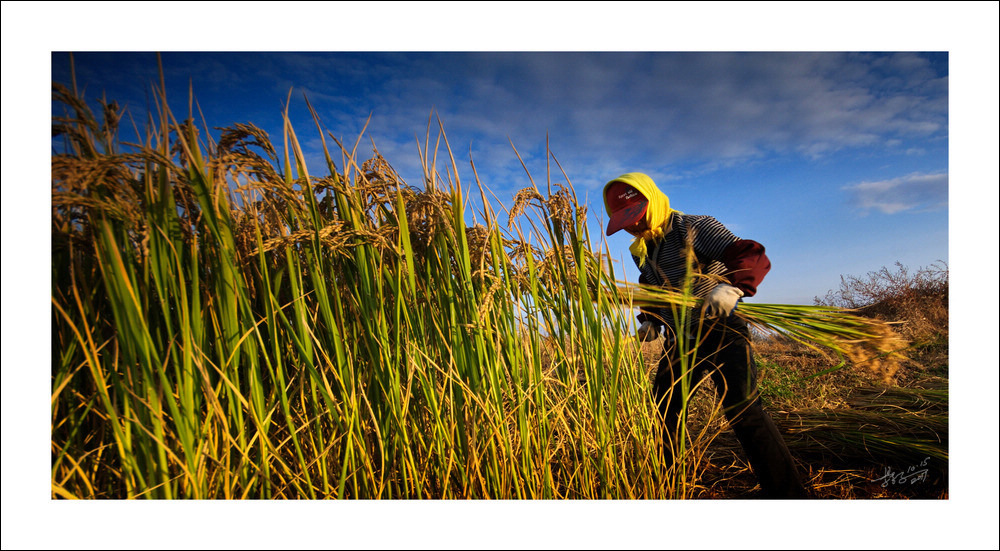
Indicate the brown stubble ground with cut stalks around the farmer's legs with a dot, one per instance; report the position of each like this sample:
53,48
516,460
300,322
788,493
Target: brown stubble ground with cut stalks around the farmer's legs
831,465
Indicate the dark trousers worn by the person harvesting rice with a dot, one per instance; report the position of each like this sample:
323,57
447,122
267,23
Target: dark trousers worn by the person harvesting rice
725,354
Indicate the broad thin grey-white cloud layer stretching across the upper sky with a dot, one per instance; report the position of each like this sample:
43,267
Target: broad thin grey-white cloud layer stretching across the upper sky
678,107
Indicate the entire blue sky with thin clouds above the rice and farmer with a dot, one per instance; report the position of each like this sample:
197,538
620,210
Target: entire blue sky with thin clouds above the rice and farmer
836,161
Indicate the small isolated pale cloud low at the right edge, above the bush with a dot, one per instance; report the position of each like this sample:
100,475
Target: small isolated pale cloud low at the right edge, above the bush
916,191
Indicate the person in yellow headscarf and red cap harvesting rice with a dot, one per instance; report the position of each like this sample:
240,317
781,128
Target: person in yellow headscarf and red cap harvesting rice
730,268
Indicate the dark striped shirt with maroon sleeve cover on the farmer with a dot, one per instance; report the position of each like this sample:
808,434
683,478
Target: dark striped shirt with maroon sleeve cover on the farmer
717,252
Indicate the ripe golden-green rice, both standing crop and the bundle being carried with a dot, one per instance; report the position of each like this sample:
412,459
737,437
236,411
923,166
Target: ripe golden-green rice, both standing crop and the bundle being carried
226,325
